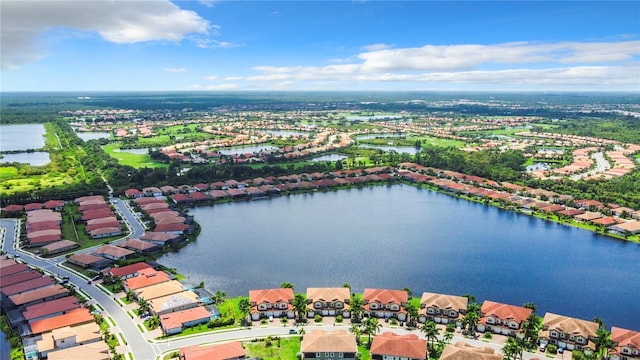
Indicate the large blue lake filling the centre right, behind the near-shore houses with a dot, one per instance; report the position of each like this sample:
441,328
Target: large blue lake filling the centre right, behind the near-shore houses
401,236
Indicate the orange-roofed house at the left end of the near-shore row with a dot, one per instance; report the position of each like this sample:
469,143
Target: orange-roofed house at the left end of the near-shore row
267,303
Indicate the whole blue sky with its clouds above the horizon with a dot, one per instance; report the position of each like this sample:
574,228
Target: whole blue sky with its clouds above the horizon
319,45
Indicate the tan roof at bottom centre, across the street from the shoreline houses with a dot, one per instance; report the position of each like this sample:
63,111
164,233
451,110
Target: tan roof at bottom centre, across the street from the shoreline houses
329,341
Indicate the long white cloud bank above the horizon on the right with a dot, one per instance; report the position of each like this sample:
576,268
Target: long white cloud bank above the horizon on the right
562,63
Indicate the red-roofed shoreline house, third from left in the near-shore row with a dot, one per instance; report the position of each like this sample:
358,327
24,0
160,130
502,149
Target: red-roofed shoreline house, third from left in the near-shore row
385,303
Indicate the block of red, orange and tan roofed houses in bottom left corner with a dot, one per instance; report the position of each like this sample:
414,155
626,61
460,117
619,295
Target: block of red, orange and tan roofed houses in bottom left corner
52,323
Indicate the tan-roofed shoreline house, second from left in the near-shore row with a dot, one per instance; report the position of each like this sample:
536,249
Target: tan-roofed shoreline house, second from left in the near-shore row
328,301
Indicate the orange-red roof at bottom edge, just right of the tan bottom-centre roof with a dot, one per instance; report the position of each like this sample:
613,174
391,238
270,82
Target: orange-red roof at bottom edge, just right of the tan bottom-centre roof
406,346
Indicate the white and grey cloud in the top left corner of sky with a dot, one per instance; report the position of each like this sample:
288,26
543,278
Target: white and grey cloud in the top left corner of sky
115,21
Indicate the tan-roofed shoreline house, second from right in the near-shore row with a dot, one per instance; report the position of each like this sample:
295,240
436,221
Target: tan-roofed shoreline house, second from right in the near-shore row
568,333
